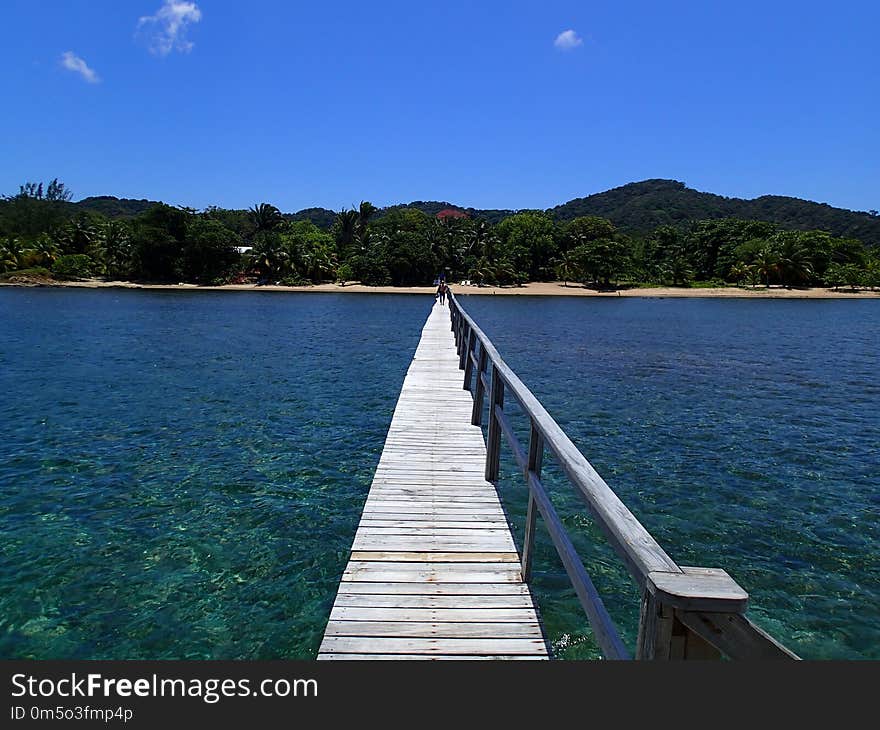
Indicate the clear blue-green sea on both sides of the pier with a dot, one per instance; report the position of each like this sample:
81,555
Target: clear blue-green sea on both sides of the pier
182,473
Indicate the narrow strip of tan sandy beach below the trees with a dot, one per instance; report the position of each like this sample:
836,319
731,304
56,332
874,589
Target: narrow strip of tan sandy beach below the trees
532,289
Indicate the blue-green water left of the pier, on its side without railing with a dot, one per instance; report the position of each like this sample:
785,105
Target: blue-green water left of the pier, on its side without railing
183,472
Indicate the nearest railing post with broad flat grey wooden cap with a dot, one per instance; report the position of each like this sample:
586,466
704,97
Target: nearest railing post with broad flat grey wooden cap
667,597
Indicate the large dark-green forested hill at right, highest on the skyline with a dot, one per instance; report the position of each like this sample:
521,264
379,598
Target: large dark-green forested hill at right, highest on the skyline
642,206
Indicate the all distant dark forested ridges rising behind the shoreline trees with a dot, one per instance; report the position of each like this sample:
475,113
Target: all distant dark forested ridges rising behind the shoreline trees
637,207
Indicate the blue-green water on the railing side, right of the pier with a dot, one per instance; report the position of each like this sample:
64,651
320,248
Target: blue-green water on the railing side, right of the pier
743,434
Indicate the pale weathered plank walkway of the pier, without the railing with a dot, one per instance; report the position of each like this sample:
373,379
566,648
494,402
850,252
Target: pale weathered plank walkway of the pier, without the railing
434,572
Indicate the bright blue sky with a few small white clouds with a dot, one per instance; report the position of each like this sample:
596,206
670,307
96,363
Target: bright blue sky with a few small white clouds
488,104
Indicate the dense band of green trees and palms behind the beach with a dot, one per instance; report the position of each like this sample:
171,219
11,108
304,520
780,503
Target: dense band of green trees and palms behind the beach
408,246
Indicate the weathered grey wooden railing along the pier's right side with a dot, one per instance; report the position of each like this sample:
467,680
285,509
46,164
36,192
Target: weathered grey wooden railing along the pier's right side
685,612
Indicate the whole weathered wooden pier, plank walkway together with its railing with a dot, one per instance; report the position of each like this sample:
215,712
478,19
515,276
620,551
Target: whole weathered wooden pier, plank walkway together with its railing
434,572
